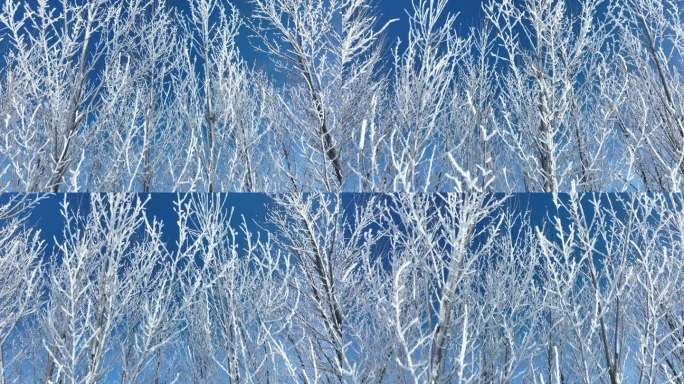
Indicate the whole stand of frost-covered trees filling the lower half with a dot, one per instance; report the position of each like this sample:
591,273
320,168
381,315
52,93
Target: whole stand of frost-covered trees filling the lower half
465,288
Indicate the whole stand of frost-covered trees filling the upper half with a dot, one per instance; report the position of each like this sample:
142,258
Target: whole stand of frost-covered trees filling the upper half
144,95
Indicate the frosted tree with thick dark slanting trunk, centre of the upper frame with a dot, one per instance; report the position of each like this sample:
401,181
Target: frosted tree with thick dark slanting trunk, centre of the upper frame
330,48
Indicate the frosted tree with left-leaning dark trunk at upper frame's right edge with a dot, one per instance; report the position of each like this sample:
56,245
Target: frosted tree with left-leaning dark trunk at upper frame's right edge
648,108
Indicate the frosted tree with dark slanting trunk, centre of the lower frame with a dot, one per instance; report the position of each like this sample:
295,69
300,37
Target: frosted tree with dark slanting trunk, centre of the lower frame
332,335
